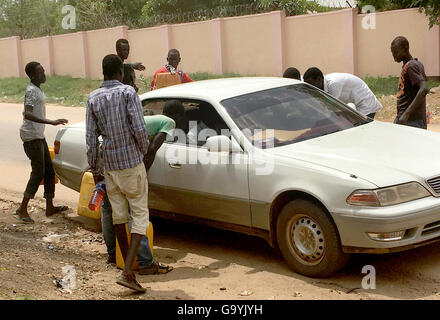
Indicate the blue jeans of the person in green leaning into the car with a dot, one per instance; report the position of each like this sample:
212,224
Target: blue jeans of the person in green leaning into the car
144,255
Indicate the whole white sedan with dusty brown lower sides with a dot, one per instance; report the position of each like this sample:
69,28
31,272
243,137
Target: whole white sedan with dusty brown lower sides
282,160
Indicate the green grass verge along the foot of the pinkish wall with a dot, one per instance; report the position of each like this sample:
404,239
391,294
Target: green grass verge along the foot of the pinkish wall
70,91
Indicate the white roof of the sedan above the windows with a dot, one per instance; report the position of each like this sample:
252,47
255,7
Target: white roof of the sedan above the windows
219,89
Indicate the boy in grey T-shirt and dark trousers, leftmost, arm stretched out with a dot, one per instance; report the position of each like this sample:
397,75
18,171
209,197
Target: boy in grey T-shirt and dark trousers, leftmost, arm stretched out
35,146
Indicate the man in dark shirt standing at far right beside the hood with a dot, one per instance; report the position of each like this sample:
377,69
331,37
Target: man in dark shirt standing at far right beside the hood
411,97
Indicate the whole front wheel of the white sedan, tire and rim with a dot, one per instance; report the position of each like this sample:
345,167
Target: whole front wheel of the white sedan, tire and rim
309,240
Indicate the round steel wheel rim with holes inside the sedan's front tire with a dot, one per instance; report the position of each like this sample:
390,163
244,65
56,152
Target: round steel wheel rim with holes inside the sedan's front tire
307,239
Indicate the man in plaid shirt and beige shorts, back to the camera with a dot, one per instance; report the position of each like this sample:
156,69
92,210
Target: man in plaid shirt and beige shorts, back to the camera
114,111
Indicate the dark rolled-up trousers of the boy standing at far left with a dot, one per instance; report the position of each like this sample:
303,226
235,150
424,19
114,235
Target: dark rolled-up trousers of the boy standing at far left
41,162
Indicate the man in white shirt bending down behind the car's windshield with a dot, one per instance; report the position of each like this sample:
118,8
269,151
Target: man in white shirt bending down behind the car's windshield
347,88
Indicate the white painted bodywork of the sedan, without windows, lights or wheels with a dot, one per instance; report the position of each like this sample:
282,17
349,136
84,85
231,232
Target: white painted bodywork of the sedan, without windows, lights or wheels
327,168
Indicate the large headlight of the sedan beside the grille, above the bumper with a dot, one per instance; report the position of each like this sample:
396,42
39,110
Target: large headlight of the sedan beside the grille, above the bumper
388,196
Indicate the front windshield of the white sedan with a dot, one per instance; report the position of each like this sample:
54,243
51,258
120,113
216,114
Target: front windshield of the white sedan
290,114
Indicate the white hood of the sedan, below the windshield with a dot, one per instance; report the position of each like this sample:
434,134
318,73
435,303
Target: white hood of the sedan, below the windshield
383,153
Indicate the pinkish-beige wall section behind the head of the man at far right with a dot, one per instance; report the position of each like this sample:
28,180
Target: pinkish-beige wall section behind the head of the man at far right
373,45
